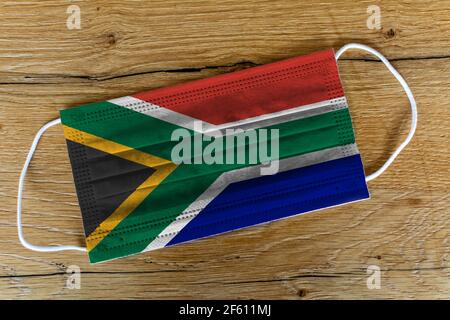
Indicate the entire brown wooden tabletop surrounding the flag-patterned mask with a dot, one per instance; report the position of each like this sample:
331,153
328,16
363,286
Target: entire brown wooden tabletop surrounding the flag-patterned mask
129,46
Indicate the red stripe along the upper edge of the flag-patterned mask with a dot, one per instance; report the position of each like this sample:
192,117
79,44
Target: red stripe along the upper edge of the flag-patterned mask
255,91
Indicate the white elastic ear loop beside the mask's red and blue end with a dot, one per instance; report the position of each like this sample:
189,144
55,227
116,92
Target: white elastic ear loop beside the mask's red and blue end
405,86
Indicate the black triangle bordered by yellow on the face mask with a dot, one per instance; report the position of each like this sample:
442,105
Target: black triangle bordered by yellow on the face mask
103,181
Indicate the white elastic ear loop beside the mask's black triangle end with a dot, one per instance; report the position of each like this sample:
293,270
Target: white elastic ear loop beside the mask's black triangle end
19,198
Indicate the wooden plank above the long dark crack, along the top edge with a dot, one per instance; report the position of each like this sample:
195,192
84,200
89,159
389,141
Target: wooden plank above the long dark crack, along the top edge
128,37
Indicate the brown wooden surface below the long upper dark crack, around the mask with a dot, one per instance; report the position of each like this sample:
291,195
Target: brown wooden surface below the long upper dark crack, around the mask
403,228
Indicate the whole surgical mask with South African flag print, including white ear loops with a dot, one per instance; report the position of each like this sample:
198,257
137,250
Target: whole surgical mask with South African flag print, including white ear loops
176,164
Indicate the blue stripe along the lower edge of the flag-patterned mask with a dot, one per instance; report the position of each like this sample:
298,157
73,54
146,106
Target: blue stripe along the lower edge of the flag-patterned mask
288,193
